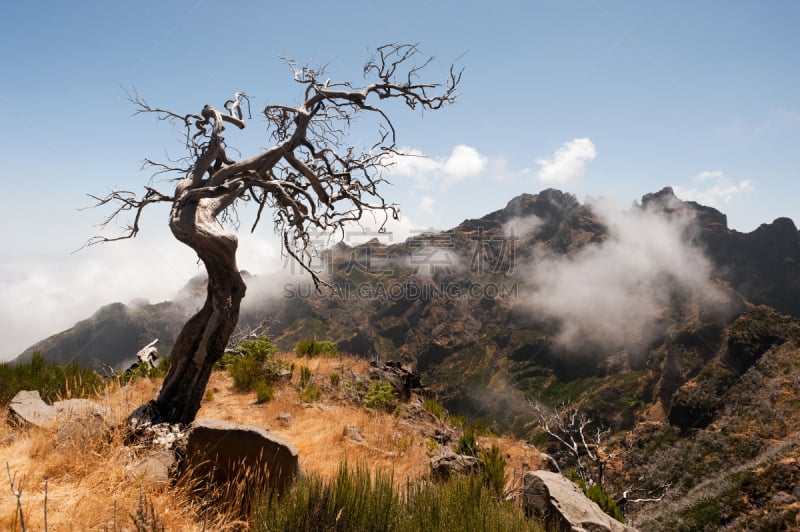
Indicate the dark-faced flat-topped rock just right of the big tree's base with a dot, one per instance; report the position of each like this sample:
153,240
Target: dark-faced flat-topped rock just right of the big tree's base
219,453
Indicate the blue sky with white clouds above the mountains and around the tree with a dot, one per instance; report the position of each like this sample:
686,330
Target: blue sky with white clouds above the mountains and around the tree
598,98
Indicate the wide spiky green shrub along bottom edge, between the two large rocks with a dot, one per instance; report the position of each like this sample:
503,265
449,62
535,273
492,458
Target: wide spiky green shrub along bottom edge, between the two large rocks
357,499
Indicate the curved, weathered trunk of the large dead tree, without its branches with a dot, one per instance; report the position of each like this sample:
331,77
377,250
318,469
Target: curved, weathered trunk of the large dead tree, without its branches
202,340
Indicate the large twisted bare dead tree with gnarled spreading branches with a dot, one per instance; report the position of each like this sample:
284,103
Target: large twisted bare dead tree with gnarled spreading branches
310,178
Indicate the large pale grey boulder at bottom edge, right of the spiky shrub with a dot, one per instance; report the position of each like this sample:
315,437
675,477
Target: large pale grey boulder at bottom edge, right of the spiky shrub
563,506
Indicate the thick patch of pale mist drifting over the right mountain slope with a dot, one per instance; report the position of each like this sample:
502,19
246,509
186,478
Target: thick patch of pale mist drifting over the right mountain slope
610,295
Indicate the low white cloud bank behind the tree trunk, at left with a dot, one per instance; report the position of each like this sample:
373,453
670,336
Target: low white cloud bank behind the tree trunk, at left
45,294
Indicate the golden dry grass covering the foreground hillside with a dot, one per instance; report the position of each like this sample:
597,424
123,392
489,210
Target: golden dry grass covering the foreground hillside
89,483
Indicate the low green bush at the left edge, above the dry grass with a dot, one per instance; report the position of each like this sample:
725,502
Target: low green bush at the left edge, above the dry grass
53,381
